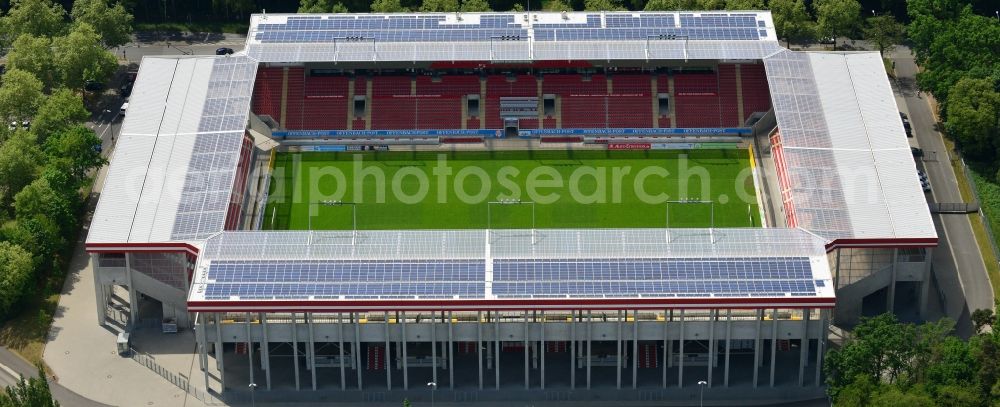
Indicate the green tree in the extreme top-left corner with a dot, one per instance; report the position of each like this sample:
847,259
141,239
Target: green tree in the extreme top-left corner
41,18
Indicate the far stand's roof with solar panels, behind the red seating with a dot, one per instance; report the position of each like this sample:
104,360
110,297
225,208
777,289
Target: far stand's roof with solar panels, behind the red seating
535,36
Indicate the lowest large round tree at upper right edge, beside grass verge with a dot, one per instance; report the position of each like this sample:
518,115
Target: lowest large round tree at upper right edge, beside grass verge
973,111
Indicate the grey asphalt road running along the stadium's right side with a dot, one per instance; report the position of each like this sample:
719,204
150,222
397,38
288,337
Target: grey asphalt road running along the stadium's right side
957,264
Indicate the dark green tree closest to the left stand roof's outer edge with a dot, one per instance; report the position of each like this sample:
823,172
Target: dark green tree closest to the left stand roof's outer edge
76,145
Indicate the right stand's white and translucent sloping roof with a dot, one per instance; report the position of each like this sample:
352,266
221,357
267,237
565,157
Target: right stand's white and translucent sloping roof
848,166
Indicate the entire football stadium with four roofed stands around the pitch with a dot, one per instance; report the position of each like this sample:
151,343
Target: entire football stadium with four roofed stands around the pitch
576,207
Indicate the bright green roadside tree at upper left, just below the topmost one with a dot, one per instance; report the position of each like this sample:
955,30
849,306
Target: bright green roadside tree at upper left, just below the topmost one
79,57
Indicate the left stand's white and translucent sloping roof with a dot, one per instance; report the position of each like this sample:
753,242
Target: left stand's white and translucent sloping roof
172,171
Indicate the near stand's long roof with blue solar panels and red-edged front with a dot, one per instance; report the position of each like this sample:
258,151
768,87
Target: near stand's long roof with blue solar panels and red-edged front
475,269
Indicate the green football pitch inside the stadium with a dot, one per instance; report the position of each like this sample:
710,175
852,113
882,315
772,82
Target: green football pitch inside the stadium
511,189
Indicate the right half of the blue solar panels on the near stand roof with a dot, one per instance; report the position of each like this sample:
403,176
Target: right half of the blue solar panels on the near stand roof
722,277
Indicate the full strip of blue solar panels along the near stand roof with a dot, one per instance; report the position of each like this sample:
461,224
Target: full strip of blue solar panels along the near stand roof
511,278
